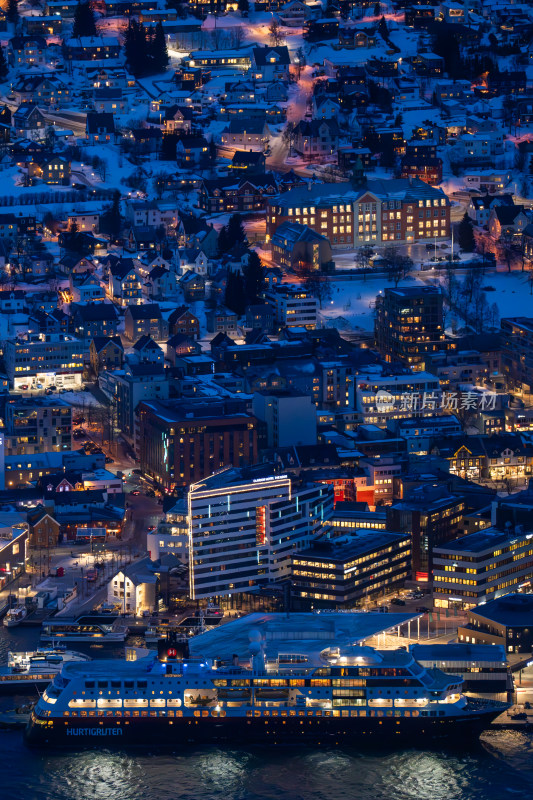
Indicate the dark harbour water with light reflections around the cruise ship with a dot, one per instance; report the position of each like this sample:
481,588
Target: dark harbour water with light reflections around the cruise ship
501,767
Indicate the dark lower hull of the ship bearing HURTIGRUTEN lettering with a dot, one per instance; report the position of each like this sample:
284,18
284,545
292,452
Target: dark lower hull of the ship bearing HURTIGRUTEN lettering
243,731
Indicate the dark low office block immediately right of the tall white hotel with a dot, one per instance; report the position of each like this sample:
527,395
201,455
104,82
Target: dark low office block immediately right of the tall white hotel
344,572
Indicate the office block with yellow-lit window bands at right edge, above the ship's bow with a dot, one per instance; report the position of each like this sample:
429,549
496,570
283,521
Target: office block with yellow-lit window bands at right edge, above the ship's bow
482,566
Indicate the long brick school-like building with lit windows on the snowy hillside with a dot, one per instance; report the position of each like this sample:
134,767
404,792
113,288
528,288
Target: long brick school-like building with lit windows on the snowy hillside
383,212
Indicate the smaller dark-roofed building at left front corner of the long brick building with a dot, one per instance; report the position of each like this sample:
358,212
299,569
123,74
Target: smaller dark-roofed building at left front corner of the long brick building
296,246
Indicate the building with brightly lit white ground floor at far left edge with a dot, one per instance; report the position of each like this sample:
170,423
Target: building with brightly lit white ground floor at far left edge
37,361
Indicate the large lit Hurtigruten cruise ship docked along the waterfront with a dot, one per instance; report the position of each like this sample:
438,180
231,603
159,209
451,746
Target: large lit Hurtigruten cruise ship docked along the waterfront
356,694
